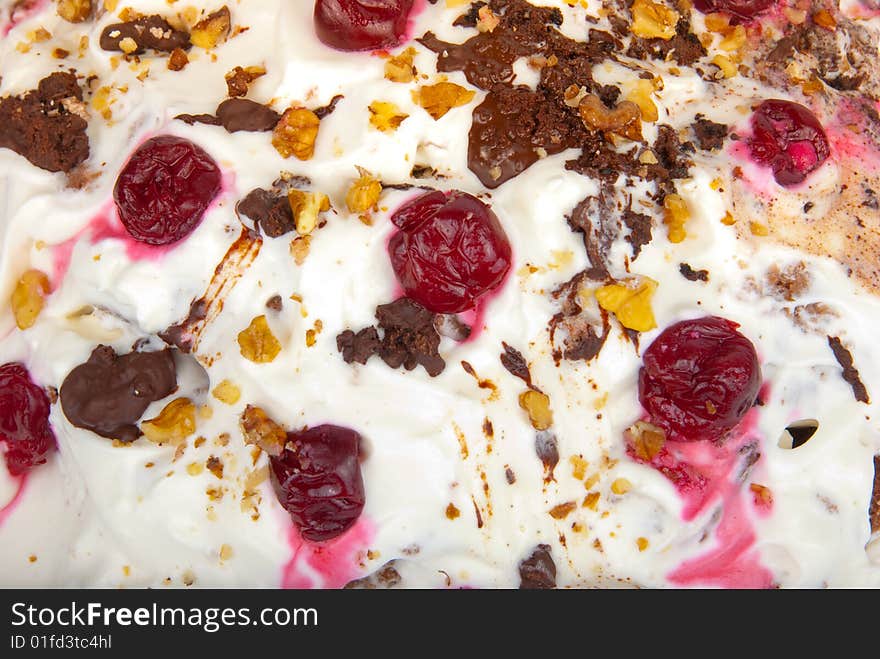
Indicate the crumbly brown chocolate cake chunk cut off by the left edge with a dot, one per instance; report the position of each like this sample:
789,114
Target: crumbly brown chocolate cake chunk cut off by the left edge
44,125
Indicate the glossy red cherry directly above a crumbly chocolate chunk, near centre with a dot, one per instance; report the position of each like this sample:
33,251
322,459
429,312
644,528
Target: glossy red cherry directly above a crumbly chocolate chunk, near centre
450,250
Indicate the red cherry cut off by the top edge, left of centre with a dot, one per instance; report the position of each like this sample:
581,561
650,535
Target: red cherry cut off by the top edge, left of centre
353,25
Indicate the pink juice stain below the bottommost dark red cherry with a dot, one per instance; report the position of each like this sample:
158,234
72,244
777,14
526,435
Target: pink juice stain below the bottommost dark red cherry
330,564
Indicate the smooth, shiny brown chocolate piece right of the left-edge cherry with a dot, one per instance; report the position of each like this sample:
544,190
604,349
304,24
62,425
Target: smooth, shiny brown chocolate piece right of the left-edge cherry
110,393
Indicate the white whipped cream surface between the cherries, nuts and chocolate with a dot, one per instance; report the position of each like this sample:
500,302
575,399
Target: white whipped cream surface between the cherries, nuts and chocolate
456,495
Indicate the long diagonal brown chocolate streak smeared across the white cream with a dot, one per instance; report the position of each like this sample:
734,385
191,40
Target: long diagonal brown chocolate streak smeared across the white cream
186,334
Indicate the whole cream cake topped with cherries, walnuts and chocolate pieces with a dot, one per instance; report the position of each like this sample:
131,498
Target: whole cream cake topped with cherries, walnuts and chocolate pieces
392,293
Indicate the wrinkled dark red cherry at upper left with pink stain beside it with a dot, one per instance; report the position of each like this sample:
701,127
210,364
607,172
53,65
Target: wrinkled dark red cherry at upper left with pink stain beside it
163,191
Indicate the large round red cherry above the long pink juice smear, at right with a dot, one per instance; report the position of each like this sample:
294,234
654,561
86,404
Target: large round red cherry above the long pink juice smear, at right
699,379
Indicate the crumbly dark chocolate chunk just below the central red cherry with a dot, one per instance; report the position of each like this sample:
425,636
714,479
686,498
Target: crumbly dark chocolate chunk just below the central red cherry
408,339
